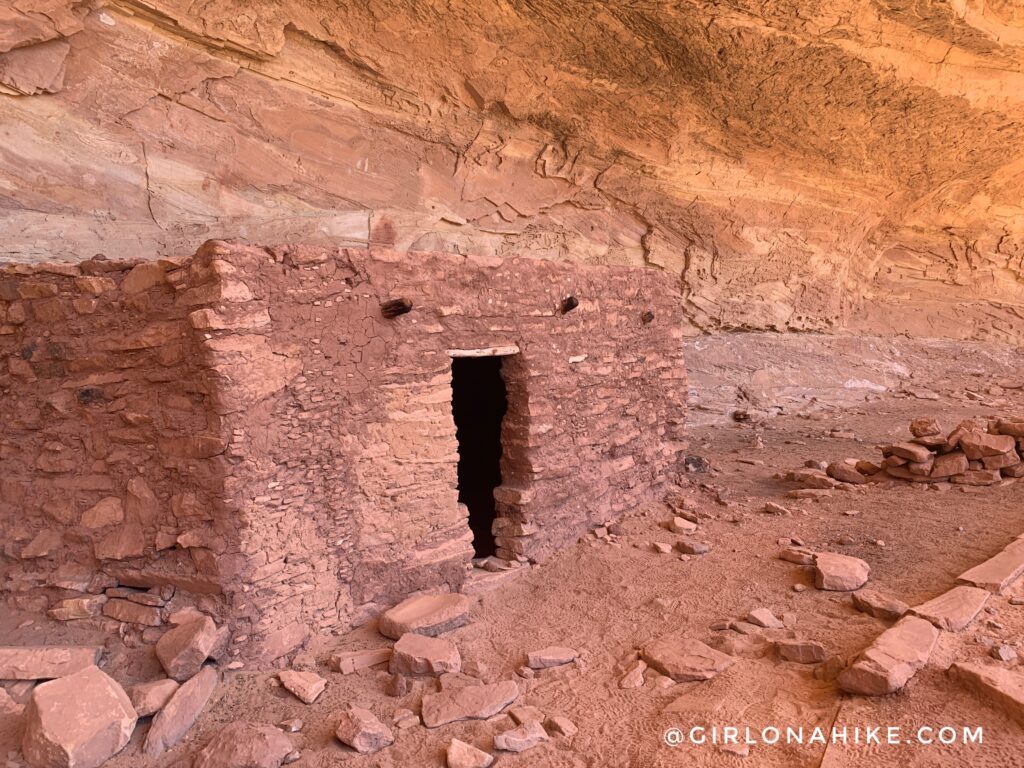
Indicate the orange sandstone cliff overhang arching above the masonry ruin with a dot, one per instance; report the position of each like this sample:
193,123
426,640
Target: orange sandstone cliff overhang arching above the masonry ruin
854,166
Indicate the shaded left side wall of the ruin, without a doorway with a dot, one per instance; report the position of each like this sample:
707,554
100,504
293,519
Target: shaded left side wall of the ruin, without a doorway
108,441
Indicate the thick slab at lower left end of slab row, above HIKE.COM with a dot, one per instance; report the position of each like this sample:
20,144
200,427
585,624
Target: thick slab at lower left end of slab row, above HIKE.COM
894,658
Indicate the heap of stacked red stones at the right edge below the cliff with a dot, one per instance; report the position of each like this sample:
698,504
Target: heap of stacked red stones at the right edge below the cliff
972,454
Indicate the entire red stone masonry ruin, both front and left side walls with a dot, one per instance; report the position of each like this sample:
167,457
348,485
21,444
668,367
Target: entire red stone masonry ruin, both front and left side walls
260,438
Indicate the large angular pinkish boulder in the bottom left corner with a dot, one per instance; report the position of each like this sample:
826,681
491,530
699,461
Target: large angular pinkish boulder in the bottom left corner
78,721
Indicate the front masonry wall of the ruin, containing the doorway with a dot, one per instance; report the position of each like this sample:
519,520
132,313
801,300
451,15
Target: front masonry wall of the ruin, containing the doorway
347,447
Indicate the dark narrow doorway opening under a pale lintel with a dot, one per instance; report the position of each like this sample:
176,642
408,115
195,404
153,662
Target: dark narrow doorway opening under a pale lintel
479,405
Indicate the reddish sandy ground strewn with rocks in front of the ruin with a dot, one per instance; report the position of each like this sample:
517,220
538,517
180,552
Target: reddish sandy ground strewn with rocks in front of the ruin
601,600
